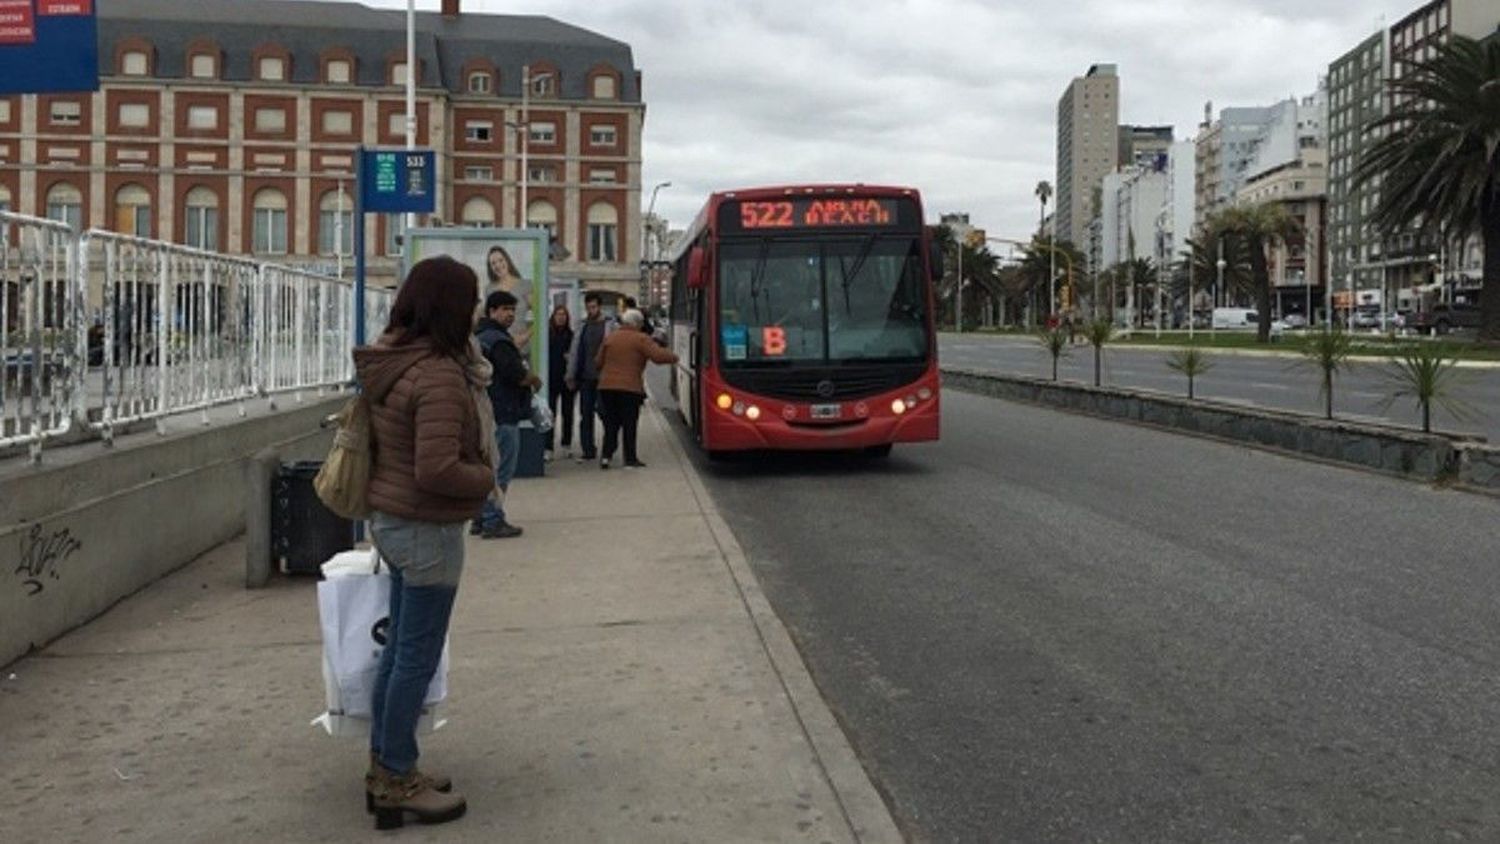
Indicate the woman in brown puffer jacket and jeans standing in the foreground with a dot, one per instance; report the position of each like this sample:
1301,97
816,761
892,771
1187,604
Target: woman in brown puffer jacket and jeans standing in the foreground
433,447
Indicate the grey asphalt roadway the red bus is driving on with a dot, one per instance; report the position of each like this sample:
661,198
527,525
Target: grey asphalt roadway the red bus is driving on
1058,629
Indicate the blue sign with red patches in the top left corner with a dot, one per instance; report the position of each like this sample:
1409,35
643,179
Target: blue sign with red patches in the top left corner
49,47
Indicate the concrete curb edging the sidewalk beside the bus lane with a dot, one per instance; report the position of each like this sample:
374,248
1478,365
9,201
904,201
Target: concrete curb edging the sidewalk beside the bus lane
865,812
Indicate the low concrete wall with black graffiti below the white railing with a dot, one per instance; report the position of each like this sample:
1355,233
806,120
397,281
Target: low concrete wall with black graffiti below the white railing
94,524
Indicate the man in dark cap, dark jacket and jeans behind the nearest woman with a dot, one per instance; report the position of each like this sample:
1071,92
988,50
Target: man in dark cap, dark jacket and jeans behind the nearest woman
511,395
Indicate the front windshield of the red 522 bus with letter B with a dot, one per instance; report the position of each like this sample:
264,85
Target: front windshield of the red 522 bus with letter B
854,299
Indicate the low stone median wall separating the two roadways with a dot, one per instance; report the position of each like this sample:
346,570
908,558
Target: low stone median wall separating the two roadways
1391,450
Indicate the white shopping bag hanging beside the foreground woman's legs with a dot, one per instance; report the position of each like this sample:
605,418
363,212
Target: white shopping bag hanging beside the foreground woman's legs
355,609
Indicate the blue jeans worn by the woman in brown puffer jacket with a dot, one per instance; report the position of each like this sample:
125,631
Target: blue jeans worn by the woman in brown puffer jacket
427,561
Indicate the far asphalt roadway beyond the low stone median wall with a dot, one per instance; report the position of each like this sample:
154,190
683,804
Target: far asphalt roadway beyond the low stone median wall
1268,382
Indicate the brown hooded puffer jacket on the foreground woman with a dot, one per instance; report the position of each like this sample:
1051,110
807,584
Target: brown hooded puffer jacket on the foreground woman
425,434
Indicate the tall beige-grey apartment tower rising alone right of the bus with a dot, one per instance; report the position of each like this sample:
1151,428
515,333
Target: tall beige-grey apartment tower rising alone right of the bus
1088,148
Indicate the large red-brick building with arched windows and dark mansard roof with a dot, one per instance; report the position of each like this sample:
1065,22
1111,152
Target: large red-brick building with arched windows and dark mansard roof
232,125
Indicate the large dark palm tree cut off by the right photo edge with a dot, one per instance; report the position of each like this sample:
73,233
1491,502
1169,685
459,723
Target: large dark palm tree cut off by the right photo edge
1439,158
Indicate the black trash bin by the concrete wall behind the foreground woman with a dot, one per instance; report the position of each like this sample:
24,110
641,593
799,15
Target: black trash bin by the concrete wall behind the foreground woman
305,533
